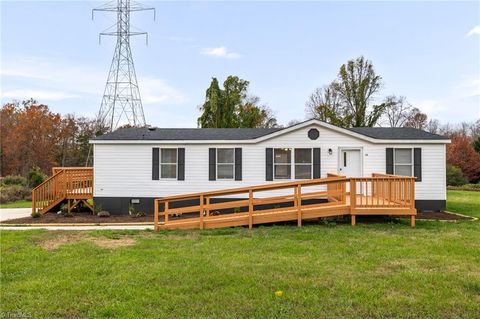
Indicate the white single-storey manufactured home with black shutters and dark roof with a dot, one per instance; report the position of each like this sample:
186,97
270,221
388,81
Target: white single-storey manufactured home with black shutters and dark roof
135,166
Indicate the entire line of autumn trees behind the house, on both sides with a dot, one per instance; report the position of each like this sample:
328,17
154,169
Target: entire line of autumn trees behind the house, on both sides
34,136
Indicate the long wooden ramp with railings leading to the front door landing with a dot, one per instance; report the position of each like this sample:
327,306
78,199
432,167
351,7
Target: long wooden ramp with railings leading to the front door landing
325,197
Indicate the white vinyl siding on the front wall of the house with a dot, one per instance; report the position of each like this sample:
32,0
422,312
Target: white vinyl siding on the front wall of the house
124,170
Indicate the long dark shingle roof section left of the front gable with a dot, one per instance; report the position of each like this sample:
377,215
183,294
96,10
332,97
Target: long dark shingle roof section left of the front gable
190,134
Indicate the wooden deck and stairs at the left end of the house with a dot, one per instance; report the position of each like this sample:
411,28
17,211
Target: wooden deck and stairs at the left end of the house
70,185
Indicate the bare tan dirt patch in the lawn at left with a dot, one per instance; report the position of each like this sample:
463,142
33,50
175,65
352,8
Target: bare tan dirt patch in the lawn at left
54,242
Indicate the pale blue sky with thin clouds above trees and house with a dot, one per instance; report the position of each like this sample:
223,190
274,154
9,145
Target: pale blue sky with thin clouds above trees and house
427,51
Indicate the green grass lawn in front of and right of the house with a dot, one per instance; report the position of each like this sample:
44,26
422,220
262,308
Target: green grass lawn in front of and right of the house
369,271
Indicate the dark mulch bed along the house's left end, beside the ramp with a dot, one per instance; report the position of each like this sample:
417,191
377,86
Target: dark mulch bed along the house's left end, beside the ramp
80,218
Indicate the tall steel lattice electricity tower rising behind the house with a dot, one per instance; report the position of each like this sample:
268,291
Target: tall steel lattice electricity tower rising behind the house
121,98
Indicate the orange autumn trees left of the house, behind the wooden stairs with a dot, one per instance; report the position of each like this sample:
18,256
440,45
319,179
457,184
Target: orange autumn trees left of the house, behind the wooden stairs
35,137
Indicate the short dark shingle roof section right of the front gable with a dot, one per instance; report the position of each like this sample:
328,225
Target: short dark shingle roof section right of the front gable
396,133
